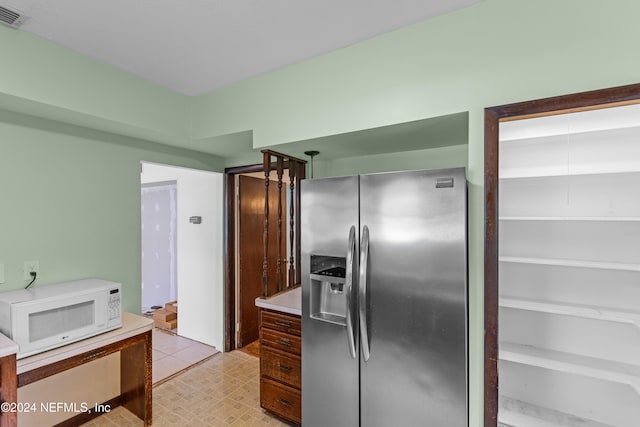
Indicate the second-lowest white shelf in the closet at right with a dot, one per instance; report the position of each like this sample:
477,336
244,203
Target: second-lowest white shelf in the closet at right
592,367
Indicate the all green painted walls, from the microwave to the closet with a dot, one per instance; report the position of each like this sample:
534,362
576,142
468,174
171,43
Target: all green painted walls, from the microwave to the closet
496,52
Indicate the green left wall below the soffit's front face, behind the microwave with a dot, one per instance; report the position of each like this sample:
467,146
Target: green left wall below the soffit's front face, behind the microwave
70,199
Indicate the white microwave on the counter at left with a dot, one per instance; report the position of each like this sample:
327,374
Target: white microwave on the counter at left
39,319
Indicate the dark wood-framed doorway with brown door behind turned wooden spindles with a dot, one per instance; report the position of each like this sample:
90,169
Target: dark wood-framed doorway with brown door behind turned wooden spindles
245,243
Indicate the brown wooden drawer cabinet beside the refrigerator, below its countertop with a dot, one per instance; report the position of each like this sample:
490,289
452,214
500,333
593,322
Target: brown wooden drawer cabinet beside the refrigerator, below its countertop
280,364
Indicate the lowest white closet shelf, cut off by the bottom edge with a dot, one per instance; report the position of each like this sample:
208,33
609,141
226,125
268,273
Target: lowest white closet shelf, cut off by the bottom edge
516,413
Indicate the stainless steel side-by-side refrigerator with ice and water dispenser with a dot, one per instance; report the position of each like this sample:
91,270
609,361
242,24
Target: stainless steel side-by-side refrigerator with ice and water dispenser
384,309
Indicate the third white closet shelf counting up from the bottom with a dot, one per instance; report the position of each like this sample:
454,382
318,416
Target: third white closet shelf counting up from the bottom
576,310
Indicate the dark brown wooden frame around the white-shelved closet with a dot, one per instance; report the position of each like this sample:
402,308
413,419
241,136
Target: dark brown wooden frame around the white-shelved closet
584,101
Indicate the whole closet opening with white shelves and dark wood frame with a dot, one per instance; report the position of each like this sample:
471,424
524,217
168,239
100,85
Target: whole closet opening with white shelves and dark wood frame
562,260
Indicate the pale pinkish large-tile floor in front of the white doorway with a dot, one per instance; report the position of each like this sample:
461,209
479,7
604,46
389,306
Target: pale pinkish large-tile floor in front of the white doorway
173,353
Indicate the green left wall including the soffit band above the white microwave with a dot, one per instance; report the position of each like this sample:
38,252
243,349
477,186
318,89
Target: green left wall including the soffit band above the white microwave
73,131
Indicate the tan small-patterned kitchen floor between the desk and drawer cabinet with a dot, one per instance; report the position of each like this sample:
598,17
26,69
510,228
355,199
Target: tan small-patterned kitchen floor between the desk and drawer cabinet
223,390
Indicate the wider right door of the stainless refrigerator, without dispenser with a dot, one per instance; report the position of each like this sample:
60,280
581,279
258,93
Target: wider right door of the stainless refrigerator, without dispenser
413,292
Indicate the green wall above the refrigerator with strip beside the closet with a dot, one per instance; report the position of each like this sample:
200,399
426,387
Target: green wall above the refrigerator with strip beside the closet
495,52
